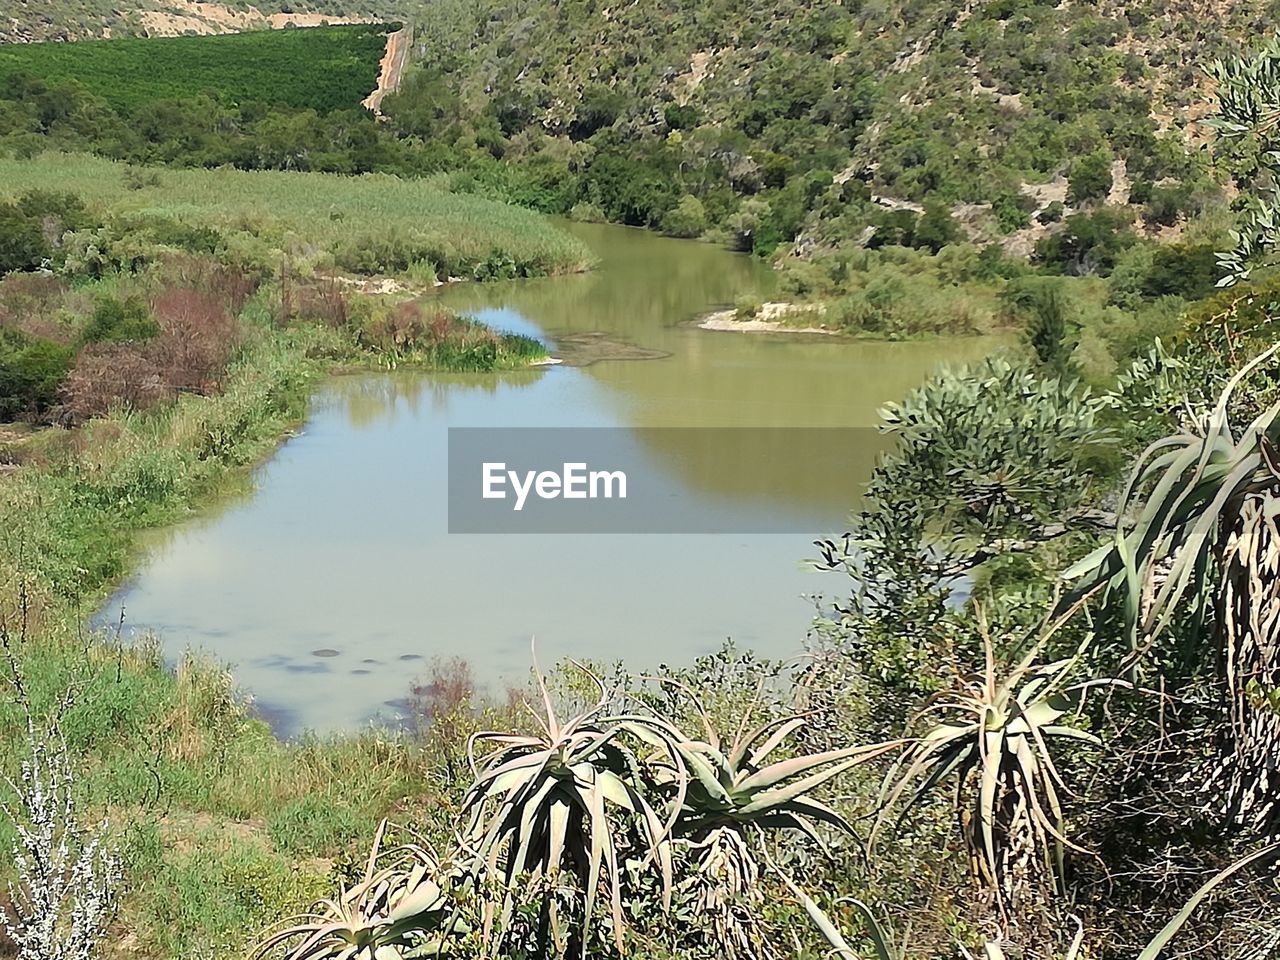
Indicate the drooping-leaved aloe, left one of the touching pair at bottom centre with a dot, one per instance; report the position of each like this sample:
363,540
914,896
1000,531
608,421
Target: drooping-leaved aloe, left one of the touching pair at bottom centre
546,803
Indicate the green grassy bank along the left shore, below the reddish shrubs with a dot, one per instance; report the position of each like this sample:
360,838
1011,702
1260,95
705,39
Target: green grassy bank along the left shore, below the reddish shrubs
223,828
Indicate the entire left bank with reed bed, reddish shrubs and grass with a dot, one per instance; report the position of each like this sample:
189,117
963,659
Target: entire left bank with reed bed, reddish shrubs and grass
171,349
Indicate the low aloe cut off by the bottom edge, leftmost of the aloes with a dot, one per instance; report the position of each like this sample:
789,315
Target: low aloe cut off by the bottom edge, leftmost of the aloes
397,911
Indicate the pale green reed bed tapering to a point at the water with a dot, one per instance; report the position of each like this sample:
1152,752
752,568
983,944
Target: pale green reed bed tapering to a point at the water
373,223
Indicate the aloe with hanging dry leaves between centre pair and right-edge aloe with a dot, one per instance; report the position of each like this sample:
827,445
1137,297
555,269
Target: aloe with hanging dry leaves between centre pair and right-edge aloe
990,735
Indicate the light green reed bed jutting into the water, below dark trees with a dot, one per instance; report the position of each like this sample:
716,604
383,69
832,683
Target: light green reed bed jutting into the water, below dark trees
371,225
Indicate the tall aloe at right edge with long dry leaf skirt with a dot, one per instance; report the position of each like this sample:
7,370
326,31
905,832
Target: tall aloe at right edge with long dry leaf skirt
1199,533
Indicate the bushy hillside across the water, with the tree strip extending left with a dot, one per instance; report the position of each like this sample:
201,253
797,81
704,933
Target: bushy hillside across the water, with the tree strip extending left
963,164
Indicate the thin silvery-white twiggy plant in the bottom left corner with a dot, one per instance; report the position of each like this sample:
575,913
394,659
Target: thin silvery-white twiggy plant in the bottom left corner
68,876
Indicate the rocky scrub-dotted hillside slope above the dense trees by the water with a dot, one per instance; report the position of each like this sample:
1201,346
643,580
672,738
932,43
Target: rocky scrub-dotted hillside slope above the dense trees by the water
821,109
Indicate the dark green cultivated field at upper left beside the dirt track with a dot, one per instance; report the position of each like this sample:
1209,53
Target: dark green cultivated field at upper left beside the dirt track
322,68
